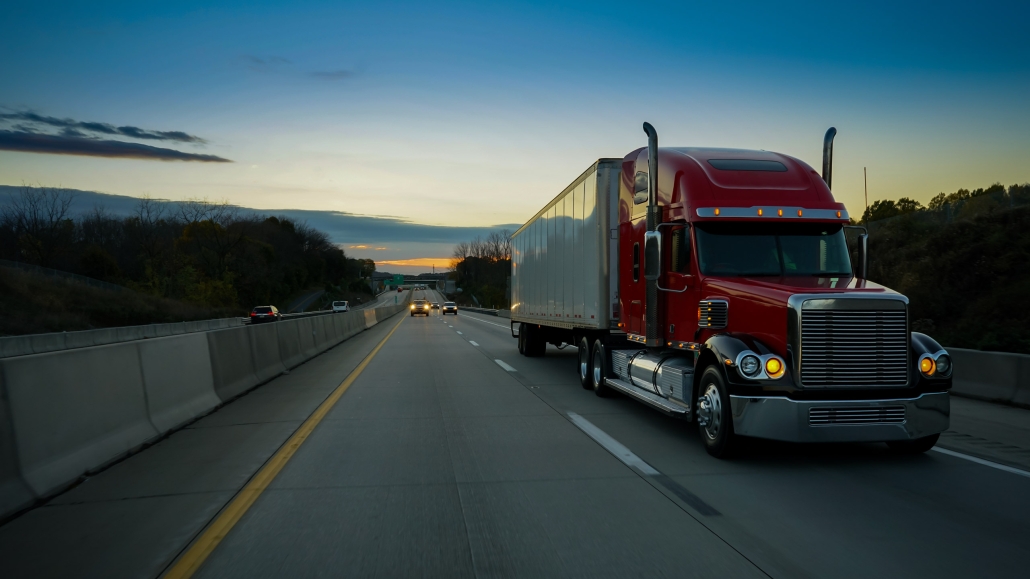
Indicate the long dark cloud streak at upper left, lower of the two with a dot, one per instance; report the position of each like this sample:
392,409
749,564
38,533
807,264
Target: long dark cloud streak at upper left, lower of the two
62,145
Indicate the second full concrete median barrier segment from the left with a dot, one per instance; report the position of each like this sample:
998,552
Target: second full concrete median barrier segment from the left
178,380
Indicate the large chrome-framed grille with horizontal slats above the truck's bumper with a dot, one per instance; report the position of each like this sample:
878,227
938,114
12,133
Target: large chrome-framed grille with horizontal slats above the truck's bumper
854,349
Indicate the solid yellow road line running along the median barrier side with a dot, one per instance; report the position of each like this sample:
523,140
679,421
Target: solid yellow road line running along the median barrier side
213,536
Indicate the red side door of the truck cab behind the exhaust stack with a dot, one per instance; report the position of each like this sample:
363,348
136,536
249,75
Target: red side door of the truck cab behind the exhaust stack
680,302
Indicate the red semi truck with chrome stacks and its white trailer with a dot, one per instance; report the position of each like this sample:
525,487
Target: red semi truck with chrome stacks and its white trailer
718,286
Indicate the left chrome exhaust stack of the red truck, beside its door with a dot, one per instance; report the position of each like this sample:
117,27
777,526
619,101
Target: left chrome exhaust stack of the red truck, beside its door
653,245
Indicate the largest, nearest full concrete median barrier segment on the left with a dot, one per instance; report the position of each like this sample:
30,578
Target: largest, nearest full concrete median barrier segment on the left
75,411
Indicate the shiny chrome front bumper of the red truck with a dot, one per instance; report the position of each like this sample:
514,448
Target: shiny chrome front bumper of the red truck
854,421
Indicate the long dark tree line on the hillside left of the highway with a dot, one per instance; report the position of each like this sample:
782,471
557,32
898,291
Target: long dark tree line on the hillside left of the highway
211,254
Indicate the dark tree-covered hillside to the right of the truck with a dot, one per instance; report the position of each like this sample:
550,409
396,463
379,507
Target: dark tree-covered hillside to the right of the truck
964,262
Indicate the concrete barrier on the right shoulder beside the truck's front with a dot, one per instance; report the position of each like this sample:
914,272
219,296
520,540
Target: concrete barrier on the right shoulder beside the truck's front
992,377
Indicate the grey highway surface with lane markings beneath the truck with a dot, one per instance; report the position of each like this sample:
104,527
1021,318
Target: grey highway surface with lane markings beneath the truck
449,455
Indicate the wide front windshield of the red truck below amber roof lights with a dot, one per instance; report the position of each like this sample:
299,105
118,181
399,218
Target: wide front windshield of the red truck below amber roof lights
775,250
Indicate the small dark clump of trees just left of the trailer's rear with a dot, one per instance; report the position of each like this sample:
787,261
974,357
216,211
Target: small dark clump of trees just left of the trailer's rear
483,267
